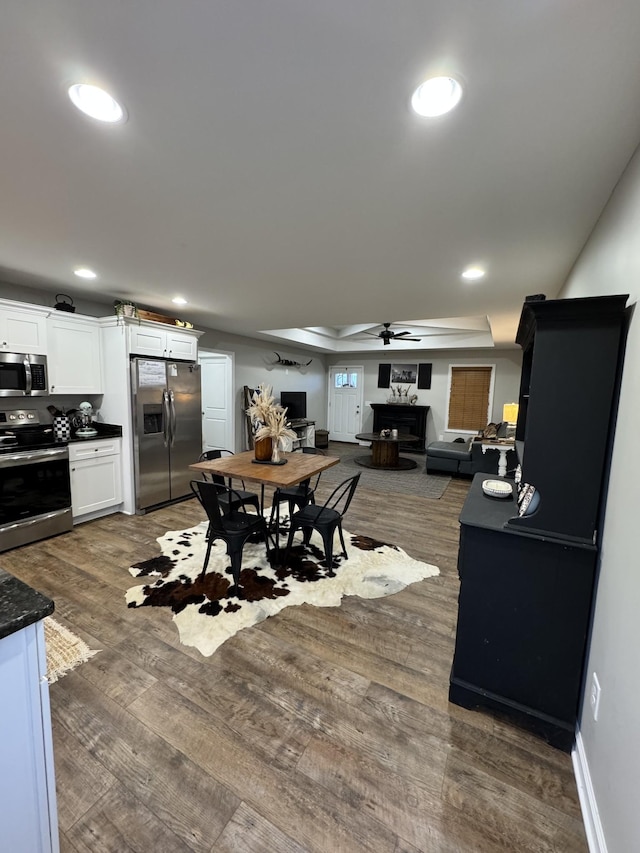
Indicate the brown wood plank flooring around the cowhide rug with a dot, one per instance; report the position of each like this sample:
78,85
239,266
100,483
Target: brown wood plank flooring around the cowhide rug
321,729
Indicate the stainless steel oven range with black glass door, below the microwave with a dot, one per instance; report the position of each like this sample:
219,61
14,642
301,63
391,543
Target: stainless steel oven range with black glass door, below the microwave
35,490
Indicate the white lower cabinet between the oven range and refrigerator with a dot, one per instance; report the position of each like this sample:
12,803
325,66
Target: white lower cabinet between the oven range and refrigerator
96,477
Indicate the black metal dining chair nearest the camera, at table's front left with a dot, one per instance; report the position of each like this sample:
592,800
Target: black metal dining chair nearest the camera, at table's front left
233,526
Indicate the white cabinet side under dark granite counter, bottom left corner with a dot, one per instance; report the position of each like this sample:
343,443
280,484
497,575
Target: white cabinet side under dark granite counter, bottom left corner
28,817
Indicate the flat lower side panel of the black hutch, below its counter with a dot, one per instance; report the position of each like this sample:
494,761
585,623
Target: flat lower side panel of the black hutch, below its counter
523,619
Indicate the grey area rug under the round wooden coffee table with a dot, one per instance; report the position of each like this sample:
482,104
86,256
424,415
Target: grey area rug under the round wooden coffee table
413,482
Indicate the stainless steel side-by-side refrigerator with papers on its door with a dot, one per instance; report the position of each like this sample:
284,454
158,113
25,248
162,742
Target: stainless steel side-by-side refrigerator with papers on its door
167,428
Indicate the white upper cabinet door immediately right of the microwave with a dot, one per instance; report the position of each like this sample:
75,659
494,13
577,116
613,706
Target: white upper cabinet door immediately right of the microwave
75,358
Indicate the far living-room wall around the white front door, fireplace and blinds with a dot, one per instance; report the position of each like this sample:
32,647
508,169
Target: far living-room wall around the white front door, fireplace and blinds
508,364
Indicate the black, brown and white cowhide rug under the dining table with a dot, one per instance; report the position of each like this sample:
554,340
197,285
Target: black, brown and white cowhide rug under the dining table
210,610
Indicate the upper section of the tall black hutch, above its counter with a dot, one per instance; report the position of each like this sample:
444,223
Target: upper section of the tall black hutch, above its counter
568,389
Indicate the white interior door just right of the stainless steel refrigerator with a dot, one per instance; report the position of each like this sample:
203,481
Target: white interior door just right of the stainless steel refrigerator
217,400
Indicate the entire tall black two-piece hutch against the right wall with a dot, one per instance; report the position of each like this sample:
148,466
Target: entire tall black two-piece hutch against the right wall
527,584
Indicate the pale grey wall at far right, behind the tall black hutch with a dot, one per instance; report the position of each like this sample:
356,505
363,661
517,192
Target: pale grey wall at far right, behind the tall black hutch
610,264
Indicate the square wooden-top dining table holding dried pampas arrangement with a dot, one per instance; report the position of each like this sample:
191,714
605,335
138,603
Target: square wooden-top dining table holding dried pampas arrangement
243,466
